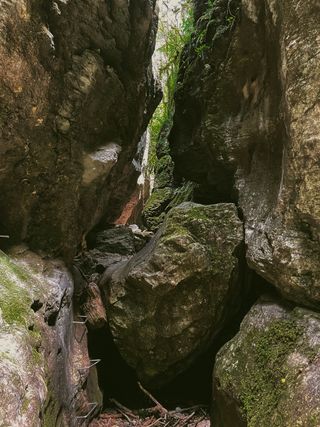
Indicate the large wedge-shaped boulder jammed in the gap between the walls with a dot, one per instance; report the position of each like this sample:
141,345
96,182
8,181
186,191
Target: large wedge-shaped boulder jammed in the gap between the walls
167,303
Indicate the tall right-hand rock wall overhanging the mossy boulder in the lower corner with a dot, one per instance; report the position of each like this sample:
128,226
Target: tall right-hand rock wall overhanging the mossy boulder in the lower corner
246,129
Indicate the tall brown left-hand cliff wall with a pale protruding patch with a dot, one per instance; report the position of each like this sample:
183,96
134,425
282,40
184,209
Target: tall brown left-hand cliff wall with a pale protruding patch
76,92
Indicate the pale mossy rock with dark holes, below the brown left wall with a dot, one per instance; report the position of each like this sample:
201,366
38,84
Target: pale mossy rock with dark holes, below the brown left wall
42,355
